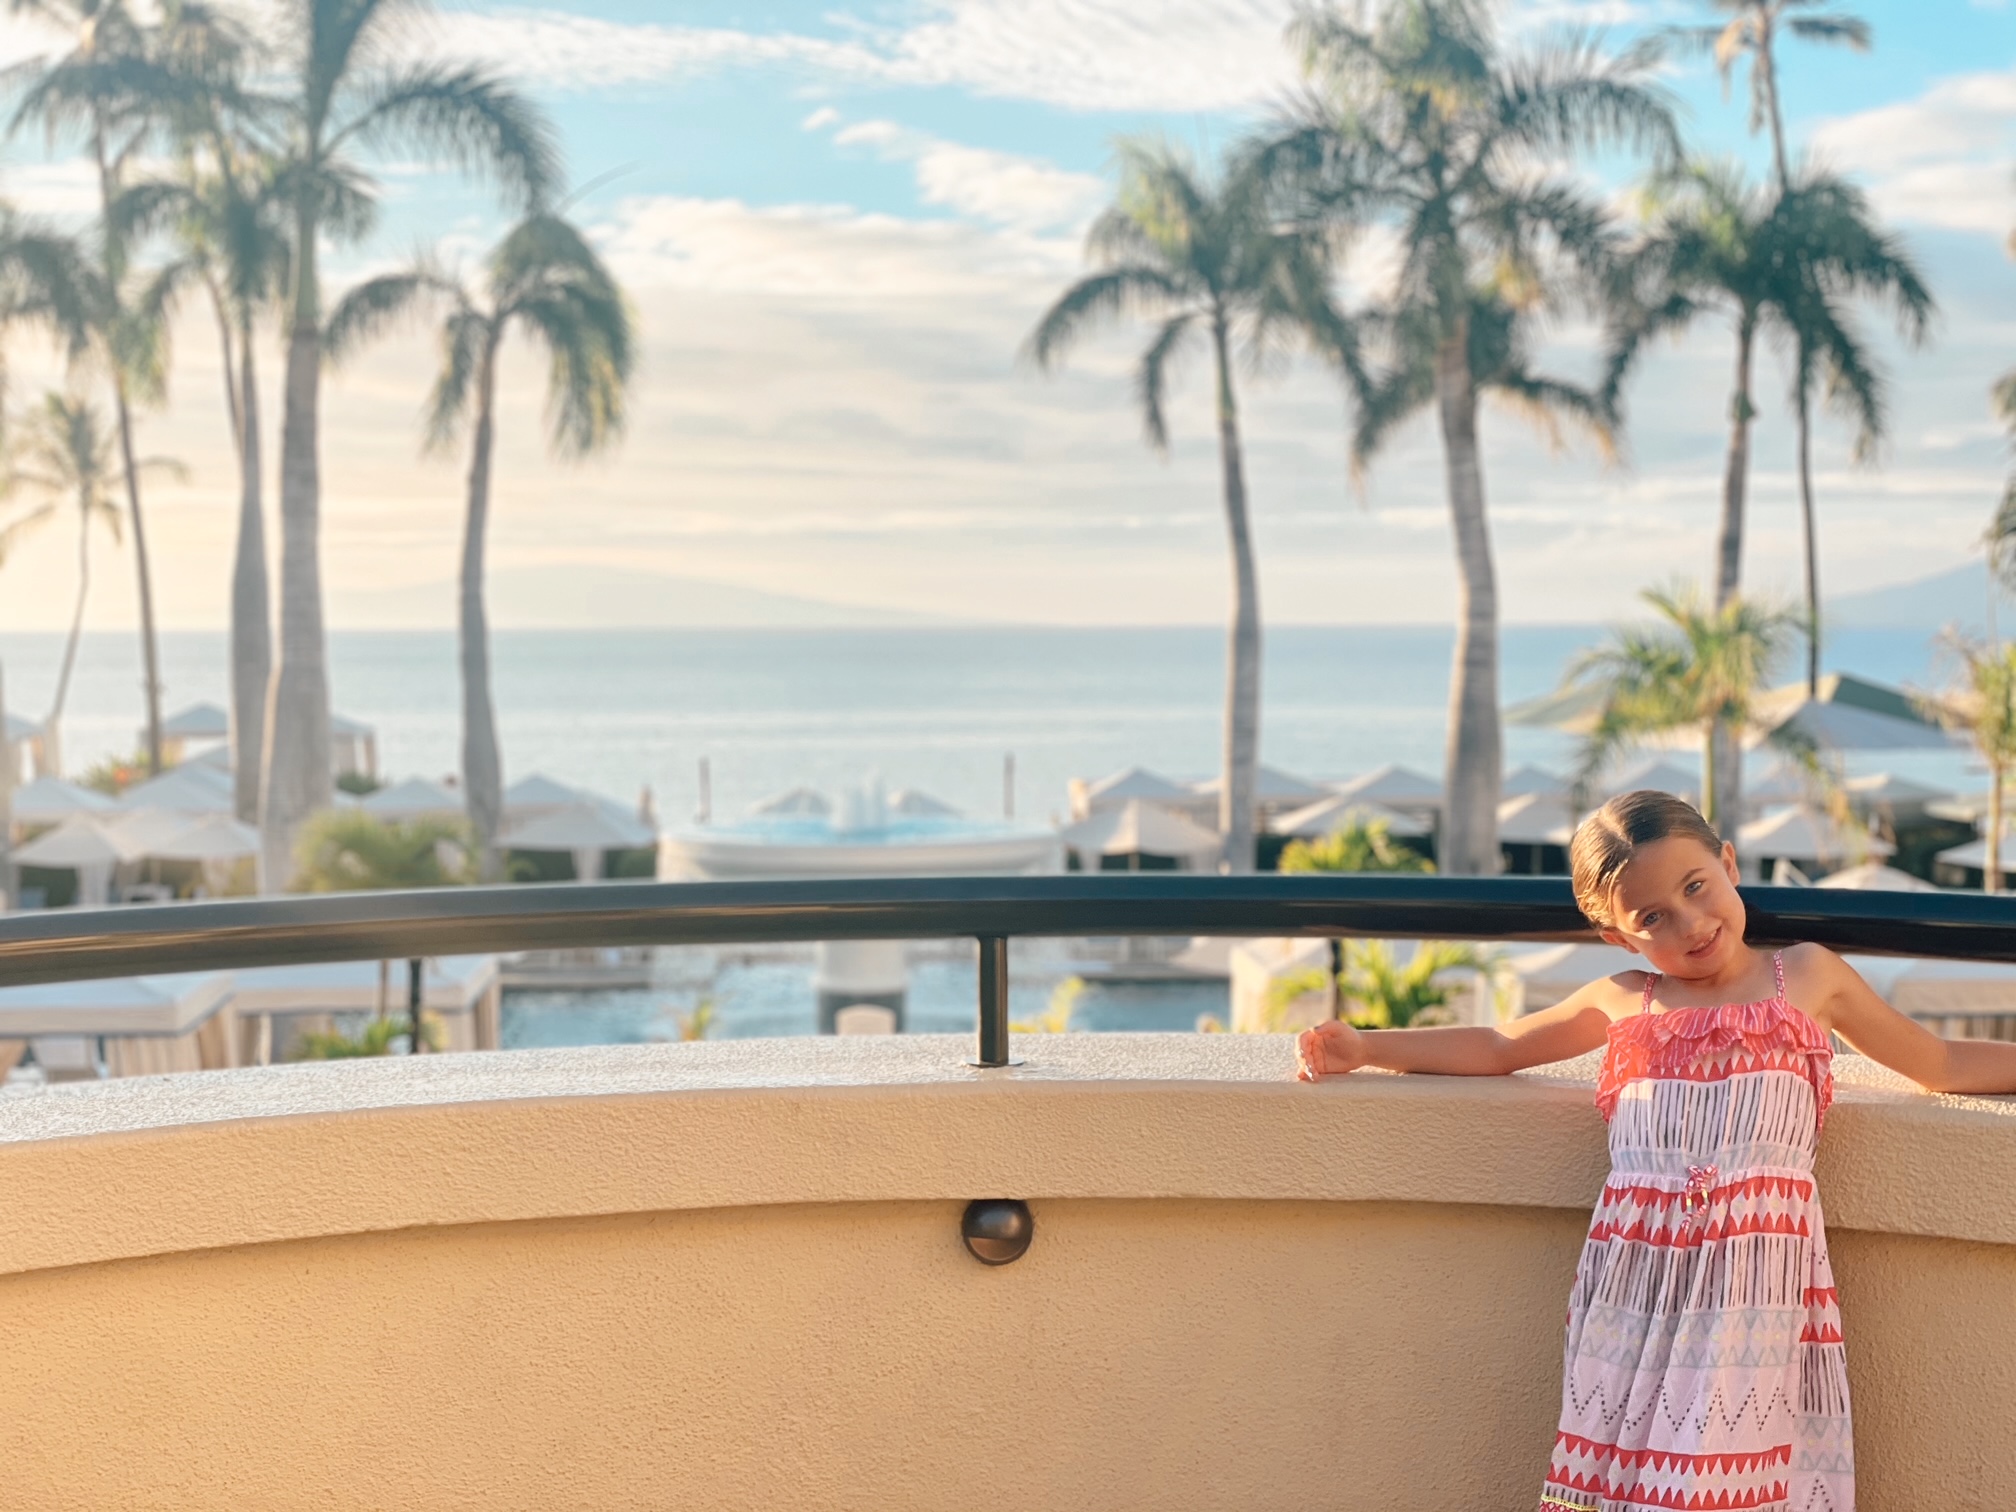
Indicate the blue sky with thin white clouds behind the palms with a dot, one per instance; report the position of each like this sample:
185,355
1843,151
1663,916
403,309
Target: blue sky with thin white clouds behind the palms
838,225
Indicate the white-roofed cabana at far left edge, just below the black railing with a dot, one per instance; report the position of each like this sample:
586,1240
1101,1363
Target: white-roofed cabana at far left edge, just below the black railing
144,1023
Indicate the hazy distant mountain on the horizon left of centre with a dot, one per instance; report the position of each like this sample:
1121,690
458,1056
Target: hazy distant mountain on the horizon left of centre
588,596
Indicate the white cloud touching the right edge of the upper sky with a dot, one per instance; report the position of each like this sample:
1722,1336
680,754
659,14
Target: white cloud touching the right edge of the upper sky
1936,160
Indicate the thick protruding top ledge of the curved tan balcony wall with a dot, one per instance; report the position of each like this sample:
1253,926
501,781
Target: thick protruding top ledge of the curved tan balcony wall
168,1164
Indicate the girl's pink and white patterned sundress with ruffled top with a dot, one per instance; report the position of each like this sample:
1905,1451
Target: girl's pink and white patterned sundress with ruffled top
1705,1362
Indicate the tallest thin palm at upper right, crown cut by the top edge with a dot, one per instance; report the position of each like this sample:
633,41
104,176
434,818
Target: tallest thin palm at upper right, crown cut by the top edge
1753,29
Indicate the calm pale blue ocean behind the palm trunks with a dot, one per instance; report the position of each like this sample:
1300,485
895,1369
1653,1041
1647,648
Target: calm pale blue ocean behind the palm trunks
922,709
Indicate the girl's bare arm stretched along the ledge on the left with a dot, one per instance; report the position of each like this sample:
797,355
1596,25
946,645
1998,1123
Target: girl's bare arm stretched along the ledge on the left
1567,1029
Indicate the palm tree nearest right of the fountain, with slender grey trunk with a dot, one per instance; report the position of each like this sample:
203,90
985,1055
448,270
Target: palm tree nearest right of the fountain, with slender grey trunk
1205,259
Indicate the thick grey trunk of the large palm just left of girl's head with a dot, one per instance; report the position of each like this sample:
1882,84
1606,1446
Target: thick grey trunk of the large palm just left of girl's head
1475,761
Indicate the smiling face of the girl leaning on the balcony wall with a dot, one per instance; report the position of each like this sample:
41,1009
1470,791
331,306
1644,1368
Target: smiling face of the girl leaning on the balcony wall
1676,906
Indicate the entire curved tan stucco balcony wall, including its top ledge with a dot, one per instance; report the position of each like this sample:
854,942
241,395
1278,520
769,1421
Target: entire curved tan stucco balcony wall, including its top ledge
731,1277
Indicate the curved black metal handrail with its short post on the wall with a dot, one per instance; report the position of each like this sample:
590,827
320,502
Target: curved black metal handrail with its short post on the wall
74,944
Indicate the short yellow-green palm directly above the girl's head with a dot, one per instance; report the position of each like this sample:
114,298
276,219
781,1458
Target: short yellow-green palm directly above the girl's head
1694,670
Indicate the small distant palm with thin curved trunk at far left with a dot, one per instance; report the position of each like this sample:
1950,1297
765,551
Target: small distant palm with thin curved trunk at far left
66,455
